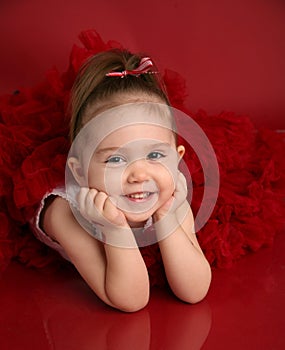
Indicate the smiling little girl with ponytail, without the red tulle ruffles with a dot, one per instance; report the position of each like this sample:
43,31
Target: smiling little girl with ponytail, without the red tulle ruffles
131,181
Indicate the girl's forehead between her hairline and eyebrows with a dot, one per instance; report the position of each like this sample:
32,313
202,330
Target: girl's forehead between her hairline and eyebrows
126,123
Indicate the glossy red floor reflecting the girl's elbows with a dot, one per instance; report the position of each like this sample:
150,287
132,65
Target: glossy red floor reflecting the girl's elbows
244,309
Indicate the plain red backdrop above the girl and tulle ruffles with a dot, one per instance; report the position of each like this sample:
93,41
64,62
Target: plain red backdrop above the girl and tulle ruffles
231,52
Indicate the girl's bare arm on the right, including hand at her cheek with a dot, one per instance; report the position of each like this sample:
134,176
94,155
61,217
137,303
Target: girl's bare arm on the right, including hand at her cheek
187,270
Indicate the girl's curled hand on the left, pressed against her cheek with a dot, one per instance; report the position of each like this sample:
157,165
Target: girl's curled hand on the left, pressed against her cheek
97,208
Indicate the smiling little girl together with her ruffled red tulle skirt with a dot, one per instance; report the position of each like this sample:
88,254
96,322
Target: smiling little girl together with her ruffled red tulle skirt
123,182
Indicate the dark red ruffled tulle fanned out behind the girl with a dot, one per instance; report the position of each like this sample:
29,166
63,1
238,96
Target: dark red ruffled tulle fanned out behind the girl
34,143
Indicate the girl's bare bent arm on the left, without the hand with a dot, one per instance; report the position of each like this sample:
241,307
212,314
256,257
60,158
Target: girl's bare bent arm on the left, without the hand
118,276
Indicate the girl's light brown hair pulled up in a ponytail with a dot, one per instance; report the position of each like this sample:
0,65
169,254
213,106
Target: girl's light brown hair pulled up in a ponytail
93,86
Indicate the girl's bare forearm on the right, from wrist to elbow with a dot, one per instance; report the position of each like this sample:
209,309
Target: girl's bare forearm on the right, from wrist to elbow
187,270
